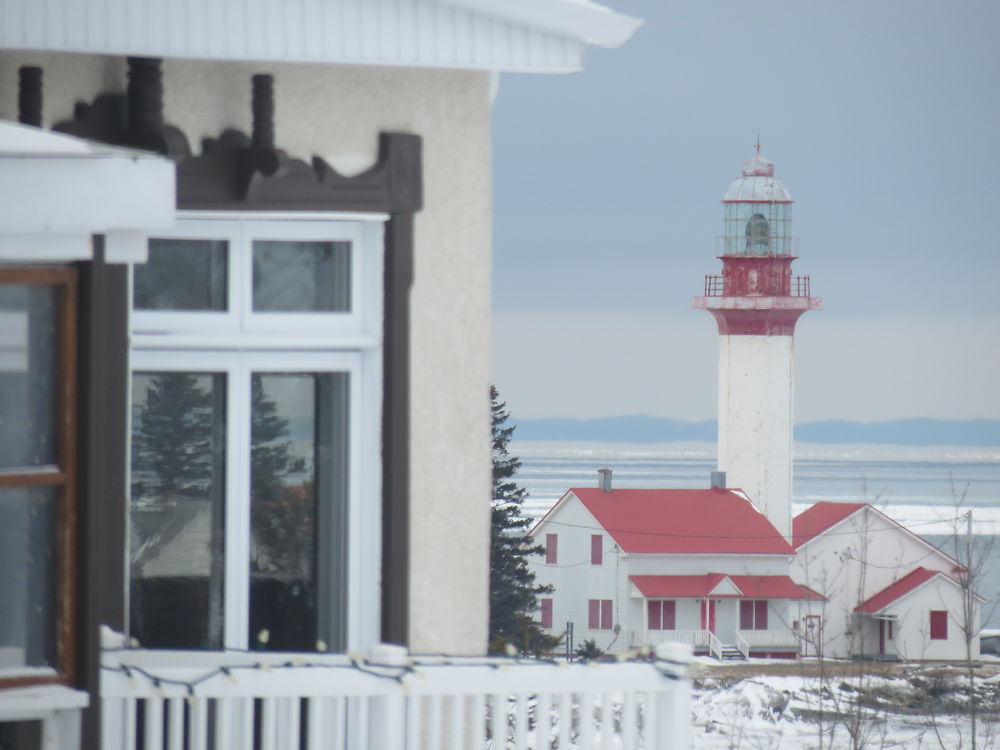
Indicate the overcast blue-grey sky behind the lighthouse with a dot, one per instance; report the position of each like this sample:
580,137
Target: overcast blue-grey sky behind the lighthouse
883,120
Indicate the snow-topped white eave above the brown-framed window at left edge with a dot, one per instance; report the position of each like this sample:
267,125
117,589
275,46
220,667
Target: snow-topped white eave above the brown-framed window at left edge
58,191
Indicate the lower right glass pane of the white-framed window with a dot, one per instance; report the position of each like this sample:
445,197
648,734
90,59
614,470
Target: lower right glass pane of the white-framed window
298,497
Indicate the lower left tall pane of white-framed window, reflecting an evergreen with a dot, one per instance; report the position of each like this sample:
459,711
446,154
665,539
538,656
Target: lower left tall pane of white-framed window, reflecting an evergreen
178,460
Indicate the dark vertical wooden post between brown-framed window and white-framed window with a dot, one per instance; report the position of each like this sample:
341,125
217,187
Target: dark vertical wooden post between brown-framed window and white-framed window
102,431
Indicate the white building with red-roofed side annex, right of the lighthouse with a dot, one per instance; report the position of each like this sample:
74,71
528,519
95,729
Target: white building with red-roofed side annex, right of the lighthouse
887,592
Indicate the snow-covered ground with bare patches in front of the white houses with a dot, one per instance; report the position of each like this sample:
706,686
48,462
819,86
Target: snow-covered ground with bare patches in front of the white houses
843,705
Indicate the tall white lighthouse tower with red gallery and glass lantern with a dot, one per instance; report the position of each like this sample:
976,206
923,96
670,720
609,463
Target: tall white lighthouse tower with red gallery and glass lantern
756,303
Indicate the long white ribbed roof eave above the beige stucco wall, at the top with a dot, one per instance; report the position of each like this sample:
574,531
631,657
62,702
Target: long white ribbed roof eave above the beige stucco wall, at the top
535,36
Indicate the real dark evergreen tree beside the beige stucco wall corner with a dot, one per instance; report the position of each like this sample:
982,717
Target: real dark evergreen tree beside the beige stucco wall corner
513,593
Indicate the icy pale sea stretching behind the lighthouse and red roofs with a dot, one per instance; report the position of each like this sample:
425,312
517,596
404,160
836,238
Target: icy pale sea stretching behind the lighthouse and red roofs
918,486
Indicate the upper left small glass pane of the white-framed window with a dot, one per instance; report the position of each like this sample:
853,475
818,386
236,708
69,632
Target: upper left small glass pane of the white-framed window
182,275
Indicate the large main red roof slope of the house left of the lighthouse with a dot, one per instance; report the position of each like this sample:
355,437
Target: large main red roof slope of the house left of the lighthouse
713,521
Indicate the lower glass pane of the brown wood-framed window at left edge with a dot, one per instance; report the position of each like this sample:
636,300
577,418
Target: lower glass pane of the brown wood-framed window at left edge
28,612
